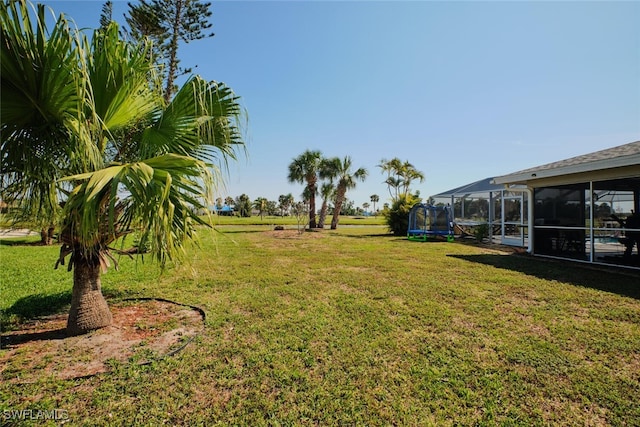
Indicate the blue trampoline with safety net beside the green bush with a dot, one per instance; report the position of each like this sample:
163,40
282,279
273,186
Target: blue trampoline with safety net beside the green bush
428,222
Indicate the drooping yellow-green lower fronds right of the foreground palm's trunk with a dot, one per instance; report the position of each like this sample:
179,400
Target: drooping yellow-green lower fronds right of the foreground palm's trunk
158,197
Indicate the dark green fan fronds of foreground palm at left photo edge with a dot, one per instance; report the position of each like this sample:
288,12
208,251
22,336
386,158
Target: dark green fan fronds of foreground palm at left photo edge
41,94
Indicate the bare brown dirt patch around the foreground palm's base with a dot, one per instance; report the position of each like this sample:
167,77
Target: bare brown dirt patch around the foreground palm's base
142,330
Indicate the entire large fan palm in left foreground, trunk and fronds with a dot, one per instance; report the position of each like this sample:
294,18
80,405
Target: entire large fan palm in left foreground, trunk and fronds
84,124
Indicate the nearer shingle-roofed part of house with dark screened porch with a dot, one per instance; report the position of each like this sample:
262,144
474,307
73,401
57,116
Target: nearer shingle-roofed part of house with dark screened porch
585,208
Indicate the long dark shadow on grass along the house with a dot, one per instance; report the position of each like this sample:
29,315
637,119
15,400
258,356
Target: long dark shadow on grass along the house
595,277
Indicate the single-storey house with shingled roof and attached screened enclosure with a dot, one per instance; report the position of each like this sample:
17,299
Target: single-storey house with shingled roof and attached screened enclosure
571,209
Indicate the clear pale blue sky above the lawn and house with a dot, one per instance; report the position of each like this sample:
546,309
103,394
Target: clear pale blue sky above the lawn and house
463,90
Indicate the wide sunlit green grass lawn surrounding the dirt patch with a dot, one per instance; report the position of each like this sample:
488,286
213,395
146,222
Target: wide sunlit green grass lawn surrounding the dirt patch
354,327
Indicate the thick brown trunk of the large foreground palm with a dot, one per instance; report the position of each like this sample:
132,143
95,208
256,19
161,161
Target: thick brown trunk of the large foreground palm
89,310
